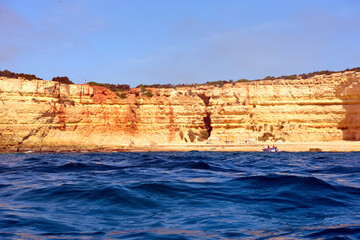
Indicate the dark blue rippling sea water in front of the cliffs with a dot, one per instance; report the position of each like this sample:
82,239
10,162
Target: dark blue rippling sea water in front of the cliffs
193,195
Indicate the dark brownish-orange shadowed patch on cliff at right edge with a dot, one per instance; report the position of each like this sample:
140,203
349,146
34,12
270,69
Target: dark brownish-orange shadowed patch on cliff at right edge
349,92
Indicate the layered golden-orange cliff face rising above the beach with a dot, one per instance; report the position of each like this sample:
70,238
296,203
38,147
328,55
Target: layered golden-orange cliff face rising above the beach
43,115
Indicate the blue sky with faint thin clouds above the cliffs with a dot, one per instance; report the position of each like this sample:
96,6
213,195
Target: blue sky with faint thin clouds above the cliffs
177,41
